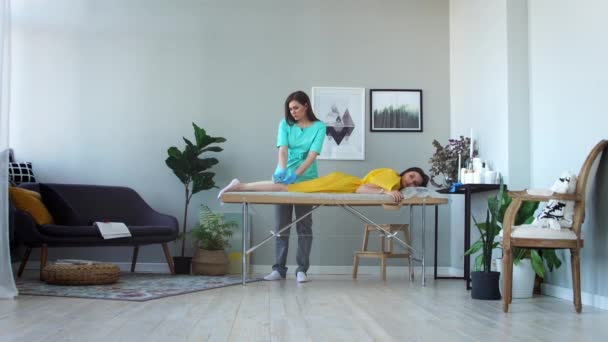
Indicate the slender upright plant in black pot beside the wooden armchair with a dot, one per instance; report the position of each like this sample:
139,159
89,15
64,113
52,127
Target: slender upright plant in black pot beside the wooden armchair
485,281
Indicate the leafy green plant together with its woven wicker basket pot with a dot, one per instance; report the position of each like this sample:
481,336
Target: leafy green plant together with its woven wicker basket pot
212,235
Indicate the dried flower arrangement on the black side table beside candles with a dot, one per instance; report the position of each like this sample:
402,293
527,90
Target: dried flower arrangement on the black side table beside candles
445,160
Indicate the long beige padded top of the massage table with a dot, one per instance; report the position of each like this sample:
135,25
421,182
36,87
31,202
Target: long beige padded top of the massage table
326,199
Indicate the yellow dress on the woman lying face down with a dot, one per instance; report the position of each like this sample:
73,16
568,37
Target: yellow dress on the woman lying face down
340,182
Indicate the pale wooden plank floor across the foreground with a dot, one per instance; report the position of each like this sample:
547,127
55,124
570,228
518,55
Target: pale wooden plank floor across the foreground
329,308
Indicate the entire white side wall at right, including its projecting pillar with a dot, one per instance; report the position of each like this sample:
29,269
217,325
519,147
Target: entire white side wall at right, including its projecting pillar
548,76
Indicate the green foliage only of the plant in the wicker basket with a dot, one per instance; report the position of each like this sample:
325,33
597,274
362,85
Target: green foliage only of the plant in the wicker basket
212,233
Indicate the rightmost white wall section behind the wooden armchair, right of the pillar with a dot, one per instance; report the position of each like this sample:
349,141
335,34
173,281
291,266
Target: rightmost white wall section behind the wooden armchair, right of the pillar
568,86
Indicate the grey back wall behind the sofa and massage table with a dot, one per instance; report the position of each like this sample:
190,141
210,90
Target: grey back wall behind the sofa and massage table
102,89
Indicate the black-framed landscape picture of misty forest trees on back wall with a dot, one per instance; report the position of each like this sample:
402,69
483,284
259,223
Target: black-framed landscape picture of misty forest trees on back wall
395,110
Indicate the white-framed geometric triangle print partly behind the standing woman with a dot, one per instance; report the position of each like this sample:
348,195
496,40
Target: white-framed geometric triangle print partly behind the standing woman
343,112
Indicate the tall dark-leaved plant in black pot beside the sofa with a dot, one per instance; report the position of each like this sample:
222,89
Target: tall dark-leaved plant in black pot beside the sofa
190,168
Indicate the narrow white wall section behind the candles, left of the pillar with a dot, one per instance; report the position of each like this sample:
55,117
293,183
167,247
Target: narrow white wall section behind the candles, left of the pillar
479,95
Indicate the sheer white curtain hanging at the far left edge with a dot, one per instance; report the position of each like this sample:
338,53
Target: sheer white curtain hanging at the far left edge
7,282
